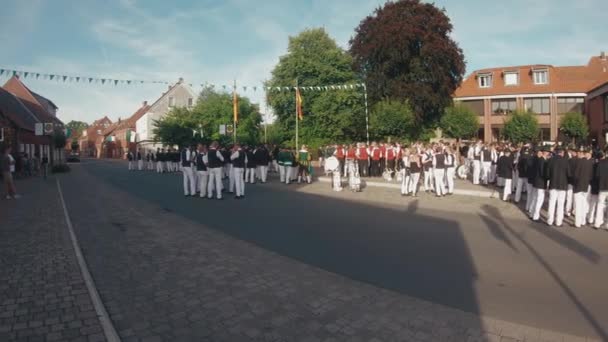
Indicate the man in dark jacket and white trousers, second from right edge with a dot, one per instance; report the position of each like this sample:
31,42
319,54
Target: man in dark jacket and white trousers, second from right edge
583,173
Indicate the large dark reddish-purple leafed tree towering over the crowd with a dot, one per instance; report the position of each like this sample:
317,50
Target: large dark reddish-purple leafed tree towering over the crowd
404,51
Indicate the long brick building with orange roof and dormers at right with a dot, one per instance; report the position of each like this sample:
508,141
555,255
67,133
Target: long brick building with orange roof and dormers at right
547,91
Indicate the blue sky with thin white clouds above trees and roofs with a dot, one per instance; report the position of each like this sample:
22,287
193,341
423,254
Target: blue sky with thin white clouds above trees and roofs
218,41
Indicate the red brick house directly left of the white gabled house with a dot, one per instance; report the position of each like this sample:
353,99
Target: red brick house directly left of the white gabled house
119,137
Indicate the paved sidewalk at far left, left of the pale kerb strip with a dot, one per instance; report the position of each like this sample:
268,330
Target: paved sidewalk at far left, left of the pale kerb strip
42,293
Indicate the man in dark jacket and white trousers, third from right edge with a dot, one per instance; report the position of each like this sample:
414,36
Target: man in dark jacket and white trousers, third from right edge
557,173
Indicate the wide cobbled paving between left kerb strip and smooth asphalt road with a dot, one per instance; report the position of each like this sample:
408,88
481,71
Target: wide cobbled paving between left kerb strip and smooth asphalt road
164,277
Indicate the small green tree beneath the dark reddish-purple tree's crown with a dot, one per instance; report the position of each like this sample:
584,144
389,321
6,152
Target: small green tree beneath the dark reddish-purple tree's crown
392,120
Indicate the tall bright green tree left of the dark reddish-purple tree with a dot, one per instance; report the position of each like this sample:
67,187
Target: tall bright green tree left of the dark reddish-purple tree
314,59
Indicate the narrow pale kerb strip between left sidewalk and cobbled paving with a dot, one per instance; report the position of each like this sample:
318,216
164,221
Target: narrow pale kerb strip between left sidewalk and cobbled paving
106,323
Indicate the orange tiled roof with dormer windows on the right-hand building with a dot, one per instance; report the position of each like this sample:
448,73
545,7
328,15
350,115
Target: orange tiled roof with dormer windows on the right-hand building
565,79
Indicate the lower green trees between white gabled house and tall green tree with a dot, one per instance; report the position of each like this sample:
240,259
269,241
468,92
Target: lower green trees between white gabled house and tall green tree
214,108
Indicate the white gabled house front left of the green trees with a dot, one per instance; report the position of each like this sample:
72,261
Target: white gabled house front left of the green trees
178,95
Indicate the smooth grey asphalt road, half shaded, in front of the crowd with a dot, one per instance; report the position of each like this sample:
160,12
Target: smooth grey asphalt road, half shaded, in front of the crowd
481,256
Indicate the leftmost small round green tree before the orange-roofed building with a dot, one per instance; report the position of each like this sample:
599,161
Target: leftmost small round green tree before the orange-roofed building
459,122
